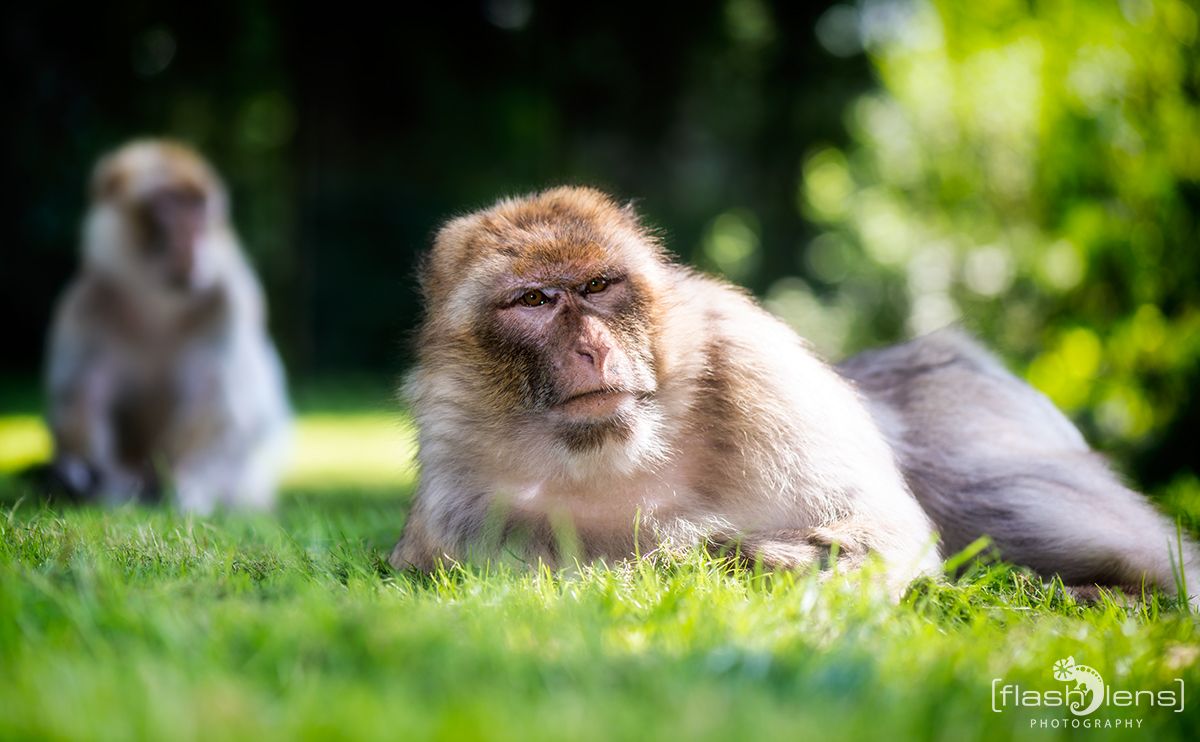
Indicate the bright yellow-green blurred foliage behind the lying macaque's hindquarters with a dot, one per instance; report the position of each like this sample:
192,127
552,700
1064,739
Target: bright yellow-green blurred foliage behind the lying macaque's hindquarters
1033,171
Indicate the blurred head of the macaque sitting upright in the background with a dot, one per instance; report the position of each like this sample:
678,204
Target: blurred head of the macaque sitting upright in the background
158,217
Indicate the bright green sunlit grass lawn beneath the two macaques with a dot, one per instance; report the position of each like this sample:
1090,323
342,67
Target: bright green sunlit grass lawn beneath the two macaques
142,624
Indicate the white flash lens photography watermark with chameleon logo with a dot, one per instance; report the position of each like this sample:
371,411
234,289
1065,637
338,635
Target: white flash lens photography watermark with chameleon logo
1082,692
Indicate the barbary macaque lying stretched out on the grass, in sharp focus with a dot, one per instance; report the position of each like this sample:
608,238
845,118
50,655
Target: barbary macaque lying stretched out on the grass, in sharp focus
580,396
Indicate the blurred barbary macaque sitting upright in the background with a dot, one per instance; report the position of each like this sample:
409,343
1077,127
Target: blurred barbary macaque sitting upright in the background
161,376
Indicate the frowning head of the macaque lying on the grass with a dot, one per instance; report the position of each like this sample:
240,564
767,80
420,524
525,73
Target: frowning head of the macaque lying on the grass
543,310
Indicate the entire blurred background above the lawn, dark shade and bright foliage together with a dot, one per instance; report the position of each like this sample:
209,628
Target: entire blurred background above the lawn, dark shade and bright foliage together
873,170
